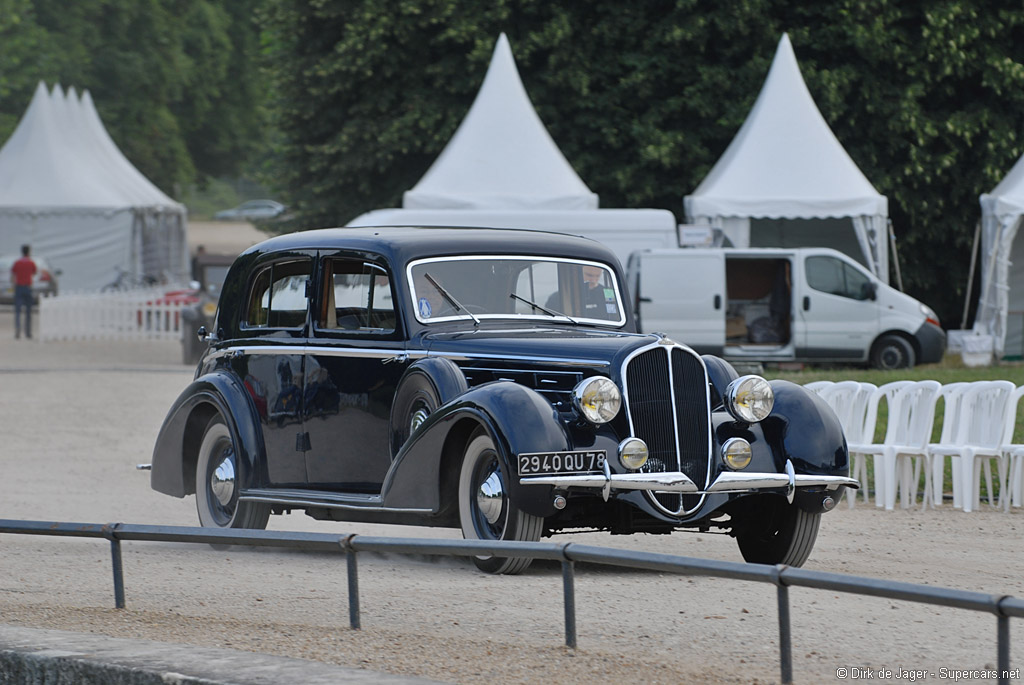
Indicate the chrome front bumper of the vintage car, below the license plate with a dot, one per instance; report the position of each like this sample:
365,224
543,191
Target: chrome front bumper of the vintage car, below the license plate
731,482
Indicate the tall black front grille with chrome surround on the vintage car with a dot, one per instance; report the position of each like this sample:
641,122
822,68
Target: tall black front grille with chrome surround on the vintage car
667,406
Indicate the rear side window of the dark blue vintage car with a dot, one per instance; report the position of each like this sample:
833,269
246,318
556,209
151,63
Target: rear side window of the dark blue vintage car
279,298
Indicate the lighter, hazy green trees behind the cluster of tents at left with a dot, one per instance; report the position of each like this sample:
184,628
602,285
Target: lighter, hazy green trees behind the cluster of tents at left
175,81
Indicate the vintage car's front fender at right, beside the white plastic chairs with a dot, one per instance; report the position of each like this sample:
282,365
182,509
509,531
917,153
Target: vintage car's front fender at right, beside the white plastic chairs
804,430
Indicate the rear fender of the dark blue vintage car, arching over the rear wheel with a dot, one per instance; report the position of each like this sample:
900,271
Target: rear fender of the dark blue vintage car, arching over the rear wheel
178,444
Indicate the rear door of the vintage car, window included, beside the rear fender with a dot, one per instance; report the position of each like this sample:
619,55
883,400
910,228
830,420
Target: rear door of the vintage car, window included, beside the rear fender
269,358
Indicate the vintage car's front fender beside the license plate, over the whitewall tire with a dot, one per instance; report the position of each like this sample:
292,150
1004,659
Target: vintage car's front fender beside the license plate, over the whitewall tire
519,419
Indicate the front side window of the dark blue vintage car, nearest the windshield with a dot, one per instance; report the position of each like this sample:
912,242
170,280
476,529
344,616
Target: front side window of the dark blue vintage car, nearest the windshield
358,297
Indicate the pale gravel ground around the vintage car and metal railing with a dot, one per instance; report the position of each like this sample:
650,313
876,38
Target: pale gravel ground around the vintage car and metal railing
77,417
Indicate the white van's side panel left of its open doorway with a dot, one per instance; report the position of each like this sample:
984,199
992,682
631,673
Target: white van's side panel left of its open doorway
681,293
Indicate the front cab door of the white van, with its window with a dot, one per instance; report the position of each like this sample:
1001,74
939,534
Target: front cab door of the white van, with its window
840,319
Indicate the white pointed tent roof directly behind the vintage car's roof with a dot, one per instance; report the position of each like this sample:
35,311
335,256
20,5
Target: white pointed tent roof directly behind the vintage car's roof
501,157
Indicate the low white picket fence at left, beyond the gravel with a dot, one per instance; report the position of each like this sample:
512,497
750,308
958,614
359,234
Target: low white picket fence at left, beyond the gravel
142,314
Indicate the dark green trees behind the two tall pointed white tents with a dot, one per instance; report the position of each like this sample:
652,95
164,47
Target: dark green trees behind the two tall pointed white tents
643,99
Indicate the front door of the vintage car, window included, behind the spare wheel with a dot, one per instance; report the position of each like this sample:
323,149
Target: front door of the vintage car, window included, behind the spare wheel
355,361
